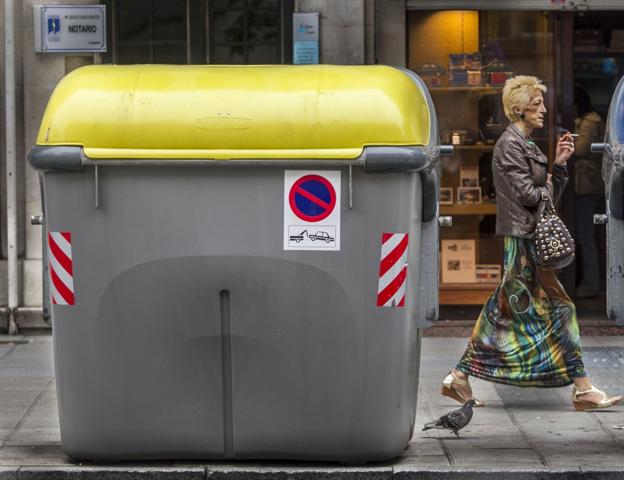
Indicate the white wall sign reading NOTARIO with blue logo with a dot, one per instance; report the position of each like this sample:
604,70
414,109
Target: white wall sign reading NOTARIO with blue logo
70,28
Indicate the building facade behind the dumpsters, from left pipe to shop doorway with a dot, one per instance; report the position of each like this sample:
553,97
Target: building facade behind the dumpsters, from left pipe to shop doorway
561,41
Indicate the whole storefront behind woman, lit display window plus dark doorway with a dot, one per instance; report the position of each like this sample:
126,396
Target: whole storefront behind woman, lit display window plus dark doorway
465,56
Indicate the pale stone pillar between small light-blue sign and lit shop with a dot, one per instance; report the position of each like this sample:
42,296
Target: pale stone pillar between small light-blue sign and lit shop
342,29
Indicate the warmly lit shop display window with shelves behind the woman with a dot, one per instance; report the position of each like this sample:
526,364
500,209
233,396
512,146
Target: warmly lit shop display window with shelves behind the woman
468,57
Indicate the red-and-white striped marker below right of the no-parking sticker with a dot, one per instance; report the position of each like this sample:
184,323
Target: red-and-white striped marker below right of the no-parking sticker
392,270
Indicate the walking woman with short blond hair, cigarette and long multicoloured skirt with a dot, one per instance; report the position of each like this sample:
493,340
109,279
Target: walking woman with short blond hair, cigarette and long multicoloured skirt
527,334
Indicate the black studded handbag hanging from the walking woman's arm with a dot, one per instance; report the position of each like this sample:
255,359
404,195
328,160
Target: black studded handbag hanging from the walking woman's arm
553,242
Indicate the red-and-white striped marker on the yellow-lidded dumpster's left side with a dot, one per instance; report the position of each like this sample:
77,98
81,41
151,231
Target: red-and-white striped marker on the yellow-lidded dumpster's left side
61,268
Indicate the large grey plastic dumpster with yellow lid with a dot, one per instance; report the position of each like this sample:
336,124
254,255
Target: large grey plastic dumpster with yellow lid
183,327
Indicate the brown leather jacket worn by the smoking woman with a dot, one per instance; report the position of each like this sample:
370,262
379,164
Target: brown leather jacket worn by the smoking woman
520,176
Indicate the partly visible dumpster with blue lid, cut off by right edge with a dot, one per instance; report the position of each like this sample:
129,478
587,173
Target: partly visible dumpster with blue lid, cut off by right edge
613,175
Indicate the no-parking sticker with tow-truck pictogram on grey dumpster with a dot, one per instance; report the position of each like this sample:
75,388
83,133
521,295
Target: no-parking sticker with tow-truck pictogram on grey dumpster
311,210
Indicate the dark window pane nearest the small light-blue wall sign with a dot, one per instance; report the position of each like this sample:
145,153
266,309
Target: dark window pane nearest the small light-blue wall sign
250,31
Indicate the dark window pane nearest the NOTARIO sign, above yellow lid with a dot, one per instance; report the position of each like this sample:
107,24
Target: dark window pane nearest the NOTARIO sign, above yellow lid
155,31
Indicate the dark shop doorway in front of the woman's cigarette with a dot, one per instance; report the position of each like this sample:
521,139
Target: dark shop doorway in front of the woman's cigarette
597,56
